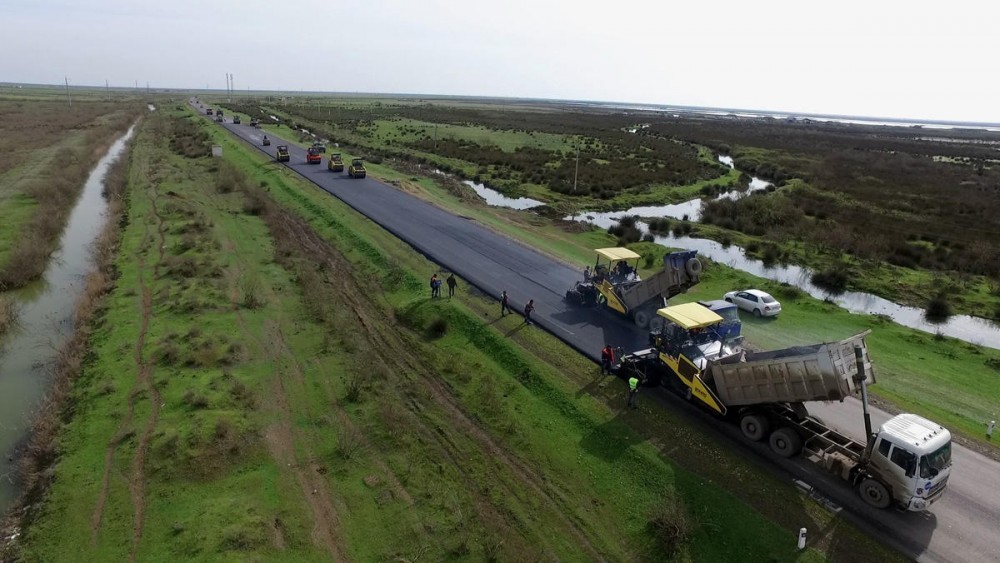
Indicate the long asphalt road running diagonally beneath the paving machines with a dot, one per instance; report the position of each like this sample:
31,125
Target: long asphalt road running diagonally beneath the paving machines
963,526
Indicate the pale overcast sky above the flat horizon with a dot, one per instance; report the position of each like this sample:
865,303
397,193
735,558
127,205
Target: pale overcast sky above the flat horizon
886,58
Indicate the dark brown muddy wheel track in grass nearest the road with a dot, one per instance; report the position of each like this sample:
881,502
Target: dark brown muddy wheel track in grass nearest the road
395,352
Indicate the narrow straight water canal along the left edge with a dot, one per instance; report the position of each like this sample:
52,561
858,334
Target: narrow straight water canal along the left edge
46,320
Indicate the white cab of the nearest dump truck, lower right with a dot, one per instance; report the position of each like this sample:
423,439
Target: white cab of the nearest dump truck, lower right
911,458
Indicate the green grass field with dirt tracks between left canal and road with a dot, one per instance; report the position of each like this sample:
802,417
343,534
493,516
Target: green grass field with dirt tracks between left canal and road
268,381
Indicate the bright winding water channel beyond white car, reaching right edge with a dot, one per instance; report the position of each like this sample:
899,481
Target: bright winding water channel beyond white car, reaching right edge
971,329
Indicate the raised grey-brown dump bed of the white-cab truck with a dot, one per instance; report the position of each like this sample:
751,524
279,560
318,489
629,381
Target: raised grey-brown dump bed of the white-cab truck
820,372
